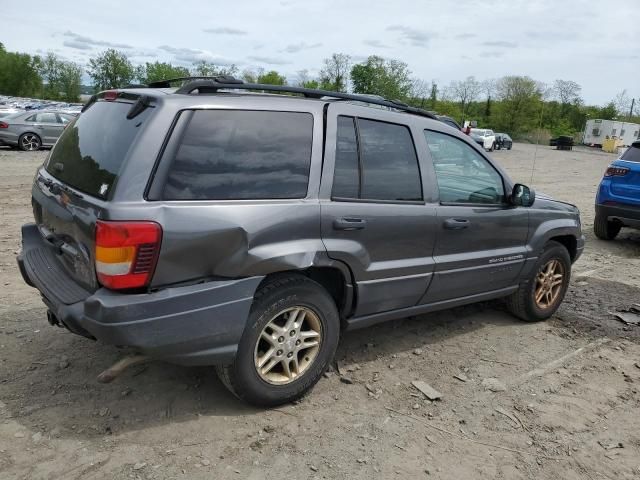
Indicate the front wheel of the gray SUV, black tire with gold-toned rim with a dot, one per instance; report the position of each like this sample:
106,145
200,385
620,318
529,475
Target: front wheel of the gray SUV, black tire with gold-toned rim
539,296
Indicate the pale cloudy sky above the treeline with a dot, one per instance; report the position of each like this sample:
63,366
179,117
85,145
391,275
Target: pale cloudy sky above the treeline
596,44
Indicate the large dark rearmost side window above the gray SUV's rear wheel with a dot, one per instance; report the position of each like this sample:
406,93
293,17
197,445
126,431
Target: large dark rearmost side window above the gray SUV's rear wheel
235,154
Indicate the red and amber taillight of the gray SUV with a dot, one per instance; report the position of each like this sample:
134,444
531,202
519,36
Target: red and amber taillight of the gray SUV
126,253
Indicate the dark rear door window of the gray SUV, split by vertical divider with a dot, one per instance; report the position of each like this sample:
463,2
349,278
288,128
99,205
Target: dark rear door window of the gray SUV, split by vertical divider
387,169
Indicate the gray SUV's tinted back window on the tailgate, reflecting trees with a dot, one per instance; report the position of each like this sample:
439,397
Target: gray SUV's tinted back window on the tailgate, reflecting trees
90,151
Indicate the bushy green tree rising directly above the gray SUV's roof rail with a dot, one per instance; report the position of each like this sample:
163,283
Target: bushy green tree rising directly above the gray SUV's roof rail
388,78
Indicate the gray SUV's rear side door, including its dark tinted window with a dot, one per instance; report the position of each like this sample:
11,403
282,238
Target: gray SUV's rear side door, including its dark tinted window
374,215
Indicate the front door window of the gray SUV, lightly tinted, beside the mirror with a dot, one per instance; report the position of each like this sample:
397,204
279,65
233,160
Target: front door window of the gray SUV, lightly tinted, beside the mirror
464,176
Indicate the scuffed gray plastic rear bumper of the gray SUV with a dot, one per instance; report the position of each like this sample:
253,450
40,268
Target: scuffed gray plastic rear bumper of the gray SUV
190,325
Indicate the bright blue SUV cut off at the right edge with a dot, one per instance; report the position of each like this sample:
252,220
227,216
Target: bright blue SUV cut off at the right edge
618,198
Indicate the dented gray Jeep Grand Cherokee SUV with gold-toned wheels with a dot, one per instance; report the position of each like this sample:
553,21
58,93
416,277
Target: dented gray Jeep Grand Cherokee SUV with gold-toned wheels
218,224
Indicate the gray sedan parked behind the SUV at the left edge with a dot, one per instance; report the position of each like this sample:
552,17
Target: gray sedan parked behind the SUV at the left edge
32,130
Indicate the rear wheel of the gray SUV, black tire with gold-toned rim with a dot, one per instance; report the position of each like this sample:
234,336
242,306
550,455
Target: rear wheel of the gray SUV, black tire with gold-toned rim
290,339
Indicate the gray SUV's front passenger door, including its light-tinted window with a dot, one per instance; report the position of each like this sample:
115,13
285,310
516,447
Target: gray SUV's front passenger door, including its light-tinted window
481,245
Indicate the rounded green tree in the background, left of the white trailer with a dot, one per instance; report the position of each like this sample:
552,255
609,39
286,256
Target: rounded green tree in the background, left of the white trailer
519,104
